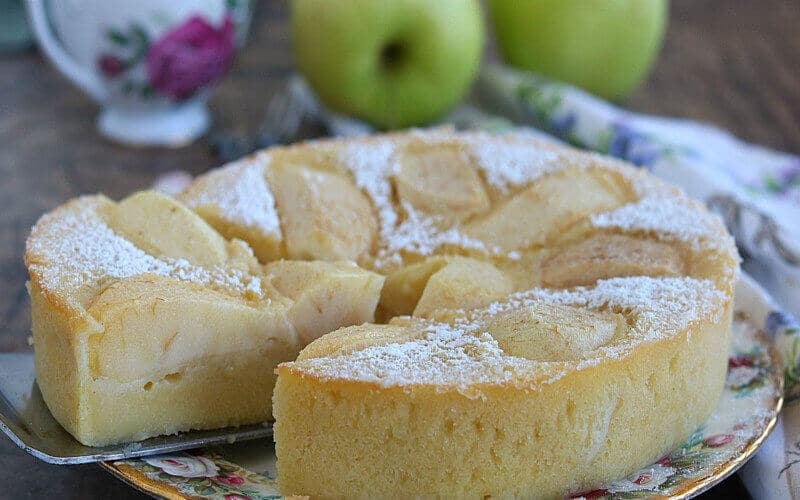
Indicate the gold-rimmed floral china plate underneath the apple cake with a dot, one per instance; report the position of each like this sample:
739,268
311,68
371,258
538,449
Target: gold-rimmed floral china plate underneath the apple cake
744,417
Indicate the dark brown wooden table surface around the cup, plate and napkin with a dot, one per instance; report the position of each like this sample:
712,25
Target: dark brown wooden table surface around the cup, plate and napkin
735,63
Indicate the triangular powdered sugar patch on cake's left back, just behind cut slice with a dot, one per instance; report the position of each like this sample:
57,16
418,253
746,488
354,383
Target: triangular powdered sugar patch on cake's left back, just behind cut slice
241,194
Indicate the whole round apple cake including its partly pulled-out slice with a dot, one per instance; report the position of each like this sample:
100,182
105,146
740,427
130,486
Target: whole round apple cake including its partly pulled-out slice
475,315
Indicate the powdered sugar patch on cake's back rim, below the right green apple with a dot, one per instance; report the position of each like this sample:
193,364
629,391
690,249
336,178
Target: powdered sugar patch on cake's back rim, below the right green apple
507,164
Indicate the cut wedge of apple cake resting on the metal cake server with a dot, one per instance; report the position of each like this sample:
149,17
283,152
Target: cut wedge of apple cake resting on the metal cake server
146,321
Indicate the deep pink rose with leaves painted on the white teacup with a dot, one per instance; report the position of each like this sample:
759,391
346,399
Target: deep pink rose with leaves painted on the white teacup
181,62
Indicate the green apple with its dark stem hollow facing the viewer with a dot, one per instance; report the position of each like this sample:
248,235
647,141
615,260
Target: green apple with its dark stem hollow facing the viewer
393,63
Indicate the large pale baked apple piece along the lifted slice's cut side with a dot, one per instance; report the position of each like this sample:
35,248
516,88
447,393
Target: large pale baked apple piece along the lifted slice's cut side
157,325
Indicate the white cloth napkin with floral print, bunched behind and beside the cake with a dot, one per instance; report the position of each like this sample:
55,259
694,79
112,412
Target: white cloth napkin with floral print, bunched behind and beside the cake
755,190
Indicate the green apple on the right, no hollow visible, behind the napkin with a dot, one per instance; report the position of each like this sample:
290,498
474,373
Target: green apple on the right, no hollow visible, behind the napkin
604,46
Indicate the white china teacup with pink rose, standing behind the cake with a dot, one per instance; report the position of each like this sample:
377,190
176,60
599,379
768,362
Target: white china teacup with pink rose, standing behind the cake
149,63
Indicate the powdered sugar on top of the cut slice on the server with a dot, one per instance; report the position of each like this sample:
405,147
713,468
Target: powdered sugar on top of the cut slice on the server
74,248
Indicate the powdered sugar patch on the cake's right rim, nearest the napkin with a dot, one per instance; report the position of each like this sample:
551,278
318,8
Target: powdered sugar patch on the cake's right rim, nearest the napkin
669,218
